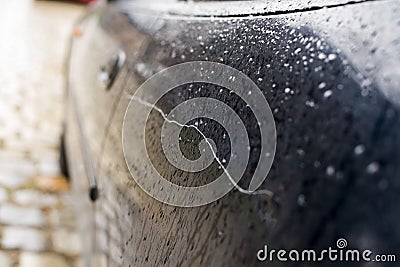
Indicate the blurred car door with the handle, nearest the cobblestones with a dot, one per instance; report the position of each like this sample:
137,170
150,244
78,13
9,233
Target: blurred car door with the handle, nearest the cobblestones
96,77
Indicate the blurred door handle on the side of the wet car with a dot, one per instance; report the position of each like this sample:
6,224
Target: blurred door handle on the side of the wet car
110,70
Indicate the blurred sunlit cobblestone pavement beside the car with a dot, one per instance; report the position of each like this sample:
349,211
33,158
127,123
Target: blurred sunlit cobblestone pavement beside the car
37,222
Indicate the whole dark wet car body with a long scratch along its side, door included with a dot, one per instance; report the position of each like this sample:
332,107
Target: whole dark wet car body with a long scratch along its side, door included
329,71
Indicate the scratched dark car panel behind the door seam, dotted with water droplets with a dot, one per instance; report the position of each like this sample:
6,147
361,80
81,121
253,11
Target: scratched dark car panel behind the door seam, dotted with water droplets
328,175
